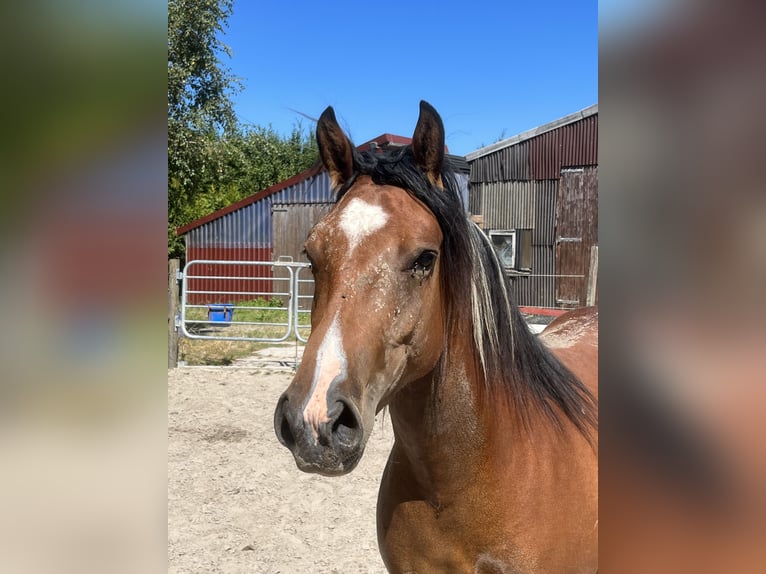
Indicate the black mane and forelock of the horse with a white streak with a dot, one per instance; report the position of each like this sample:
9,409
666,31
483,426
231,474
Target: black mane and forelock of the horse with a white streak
517,367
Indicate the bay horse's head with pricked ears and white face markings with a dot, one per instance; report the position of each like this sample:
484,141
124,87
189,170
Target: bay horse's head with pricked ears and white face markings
378,317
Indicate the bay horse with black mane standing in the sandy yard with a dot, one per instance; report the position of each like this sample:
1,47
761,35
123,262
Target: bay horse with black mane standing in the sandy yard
494,463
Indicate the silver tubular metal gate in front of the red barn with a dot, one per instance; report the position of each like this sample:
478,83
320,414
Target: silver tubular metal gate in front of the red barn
265,301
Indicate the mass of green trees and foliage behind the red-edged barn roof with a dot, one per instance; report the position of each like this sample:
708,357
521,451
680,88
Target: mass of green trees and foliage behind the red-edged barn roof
213,161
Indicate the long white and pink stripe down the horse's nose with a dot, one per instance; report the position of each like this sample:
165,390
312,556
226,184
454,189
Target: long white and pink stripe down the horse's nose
330,366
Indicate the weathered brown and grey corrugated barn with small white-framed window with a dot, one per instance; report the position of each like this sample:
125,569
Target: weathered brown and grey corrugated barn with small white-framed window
536,195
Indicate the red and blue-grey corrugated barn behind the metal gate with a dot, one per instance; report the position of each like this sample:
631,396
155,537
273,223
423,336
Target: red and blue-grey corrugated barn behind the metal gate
268,226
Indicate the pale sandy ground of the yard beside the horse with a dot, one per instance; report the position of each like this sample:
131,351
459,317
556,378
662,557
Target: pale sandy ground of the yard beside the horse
236,500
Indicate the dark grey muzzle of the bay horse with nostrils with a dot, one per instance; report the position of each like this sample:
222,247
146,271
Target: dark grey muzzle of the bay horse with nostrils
332,448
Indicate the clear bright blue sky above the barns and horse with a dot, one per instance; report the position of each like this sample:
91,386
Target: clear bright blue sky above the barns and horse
491,69
